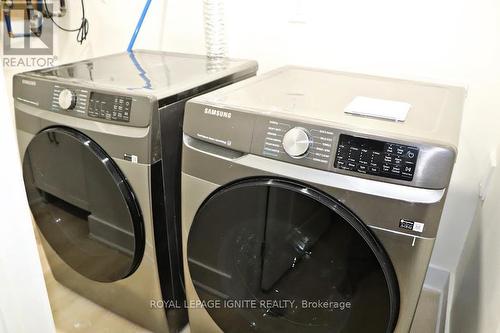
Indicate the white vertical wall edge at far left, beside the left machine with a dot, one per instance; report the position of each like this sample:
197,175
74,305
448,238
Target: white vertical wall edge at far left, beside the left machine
24,306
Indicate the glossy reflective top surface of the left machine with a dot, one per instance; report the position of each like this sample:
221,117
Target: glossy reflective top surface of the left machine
155,73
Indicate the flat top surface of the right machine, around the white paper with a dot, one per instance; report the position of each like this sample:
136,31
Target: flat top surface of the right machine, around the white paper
302,93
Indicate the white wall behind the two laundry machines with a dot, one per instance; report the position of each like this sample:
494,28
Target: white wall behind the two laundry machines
447,40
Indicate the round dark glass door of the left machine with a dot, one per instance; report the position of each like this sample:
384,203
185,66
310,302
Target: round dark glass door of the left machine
83,204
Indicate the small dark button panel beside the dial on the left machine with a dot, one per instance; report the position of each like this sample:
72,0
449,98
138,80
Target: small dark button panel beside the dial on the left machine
109,107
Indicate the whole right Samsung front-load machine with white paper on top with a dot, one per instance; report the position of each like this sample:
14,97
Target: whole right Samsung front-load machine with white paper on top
300,213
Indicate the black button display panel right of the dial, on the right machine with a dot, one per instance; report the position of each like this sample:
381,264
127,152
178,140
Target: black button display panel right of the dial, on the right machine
377,158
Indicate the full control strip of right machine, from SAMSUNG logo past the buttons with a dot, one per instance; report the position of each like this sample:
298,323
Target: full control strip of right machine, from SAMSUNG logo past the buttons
319,145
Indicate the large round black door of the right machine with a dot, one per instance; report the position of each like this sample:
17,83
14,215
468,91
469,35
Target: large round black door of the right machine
274,255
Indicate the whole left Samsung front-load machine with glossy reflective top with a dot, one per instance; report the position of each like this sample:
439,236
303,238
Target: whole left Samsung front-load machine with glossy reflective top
101,143
